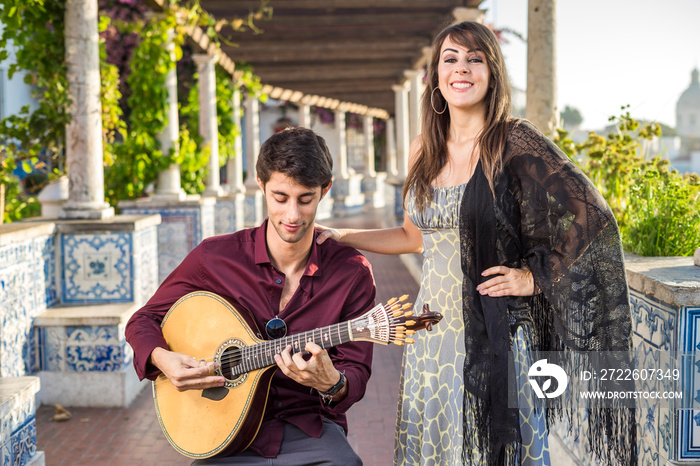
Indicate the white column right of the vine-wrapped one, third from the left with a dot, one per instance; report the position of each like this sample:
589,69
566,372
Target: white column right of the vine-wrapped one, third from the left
208,126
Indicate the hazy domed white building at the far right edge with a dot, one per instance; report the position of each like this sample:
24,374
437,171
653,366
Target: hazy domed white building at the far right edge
688,127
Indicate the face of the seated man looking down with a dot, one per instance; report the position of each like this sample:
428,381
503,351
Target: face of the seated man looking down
291,206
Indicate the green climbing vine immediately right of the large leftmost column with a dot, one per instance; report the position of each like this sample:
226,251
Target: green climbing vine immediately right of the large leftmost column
140,156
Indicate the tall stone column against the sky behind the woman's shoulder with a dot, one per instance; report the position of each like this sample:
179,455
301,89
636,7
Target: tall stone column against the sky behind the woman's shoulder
541,106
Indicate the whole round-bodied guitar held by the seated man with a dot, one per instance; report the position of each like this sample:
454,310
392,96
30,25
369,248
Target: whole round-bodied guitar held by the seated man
224,421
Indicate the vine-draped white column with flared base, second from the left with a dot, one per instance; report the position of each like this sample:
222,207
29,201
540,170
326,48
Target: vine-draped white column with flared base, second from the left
168,186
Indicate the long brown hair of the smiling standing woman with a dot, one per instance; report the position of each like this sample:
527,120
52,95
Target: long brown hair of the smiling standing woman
432,155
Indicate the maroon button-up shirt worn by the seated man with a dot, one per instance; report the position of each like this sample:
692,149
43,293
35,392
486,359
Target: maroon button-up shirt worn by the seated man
337,286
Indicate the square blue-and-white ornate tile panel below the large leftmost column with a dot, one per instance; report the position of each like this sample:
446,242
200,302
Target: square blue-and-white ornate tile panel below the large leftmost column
97,268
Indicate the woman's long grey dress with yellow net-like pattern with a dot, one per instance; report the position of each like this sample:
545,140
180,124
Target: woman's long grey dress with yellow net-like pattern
431,398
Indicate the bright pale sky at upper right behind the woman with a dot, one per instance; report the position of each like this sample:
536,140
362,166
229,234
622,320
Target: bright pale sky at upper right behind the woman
612,53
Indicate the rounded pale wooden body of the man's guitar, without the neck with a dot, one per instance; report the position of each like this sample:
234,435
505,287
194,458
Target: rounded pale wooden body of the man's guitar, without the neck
195,425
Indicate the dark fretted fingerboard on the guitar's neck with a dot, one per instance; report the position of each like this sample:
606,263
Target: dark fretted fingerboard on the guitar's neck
263,354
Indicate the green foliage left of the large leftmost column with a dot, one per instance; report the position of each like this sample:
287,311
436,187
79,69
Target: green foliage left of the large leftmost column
35,136
